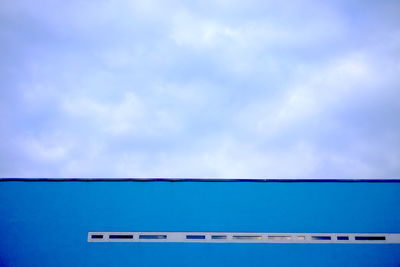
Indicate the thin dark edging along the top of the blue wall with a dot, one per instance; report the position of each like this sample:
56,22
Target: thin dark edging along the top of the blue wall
261,180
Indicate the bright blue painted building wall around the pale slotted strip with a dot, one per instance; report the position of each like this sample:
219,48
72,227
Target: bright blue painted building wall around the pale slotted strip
46,223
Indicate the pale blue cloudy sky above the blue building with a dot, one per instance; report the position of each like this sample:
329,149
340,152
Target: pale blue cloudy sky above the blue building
200,89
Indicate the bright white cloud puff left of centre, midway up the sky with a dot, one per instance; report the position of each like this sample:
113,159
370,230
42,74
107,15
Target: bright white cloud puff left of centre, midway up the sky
130,116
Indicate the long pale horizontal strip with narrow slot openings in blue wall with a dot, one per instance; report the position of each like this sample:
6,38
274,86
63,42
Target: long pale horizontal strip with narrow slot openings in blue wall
244,237
